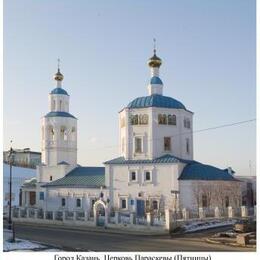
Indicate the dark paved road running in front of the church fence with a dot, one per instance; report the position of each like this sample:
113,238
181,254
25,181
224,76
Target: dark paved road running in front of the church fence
83,240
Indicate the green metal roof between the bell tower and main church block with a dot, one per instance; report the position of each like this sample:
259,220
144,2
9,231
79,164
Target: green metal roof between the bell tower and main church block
87,177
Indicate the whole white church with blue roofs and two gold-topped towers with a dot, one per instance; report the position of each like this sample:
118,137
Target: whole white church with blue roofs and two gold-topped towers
155,169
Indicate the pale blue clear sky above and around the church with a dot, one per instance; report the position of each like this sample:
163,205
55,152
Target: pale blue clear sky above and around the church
208,50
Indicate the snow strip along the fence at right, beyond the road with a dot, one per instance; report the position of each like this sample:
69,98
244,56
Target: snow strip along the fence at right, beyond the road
202,225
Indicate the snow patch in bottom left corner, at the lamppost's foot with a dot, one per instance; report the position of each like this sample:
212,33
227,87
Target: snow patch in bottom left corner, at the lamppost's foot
23,245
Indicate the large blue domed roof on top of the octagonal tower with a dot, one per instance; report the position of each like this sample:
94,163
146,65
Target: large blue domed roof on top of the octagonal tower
156,100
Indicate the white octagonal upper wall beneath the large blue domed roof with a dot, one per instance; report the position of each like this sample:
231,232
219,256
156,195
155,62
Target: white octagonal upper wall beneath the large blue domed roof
153,134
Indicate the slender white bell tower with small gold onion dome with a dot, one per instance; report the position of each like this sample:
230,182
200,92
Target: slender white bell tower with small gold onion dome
59,128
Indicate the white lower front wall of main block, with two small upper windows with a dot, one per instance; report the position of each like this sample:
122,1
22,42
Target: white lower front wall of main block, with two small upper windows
164,181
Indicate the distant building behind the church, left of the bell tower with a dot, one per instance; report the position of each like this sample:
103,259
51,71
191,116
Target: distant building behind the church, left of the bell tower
24,158
